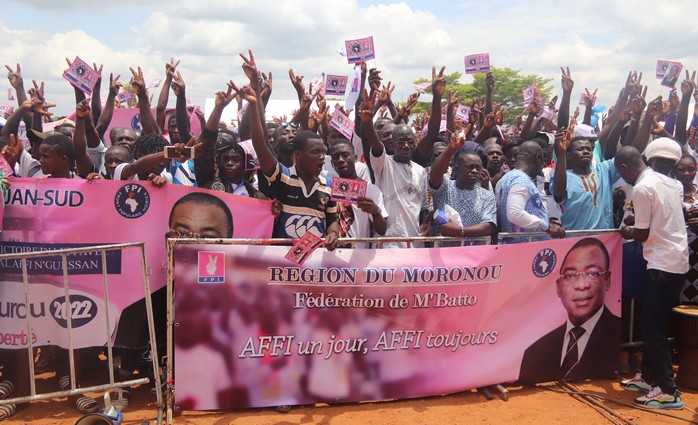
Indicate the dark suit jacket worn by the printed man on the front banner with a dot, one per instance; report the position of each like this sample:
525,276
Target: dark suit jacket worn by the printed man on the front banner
541,361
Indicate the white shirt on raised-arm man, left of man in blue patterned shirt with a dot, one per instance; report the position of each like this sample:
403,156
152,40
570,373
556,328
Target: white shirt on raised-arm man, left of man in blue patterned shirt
404,189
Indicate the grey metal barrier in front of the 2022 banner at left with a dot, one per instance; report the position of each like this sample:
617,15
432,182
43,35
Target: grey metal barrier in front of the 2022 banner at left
112,384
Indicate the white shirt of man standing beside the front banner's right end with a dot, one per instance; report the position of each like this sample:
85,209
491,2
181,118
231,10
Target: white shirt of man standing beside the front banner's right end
658,207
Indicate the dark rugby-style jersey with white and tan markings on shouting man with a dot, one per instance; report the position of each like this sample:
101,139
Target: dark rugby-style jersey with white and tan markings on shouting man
302,211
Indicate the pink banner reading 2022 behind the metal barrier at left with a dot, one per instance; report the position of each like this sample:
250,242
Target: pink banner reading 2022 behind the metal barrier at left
50,214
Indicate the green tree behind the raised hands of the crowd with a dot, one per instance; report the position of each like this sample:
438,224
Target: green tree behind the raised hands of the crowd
507,90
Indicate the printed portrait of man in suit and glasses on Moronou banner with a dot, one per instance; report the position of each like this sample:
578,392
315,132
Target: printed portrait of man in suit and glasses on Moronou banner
587,344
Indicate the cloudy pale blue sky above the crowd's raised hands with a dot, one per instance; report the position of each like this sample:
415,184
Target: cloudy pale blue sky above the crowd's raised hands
599,40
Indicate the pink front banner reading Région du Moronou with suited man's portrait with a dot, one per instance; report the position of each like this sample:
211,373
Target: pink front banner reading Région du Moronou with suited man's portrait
354,325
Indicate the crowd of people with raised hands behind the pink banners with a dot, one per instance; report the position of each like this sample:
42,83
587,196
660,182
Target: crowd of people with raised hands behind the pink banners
634,170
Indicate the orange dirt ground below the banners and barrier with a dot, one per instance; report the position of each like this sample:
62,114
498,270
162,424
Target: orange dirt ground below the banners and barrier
525,405
